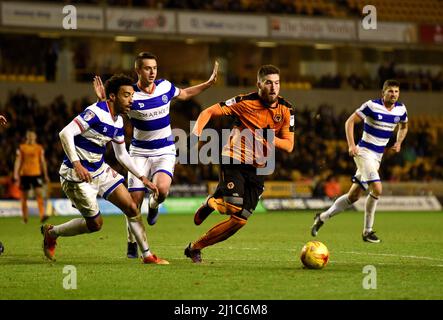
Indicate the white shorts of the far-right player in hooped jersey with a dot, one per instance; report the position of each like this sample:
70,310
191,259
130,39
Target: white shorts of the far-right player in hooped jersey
368,164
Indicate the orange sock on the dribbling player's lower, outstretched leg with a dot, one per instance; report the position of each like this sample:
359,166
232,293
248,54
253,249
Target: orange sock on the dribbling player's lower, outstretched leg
220,232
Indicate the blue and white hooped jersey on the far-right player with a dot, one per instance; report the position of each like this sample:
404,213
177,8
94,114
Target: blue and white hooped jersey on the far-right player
379,124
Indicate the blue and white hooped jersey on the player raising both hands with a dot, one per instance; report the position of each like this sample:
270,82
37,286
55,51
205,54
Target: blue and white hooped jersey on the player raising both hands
149,116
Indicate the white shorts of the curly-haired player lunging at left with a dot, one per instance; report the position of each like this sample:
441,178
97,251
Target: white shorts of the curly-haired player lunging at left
84,195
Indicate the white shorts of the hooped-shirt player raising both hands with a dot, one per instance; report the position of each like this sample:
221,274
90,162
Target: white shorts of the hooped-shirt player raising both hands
149,166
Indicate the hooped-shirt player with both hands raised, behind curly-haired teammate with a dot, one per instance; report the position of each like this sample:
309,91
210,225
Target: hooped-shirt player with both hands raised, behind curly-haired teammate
153,146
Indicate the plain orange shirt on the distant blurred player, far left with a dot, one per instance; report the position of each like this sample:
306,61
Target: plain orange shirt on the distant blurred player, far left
30,155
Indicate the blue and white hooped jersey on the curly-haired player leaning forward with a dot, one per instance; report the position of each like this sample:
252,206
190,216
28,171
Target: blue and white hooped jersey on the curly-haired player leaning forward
98,127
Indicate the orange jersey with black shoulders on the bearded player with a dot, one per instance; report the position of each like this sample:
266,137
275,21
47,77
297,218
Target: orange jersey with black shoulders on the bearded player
248,140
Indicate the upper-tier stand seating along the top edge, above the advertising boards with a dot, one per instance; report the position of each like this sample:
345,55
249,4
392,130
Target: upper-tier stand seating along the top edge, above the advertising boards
431,10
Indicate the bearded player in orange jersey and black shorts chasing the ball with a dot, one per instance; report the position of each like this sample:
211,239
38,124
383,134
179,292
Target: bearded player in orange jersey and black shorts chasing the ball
259,116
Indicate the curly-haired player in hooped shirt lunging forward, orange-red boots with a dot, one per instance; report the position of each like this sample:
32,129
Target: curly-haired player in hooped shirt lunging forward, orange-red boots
84,174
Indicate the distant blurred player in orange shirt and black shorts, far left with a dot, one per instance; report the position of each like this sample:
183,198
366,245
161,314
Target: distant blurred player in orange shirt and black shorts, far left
29,171
